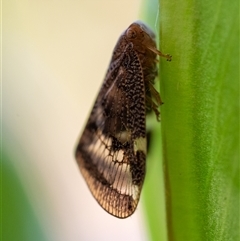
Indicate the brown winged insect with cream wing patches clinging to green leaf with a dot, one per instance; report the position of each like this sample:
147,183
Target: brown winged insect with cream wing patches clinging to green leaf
111,153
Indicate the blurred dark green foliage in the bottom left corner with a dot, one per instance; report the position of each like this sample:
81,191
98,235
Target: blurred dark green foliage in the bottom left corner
18,221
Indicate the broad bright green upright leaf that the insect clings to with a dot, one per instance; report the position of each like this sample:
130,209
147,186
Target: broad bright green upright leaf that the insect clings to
199,121
